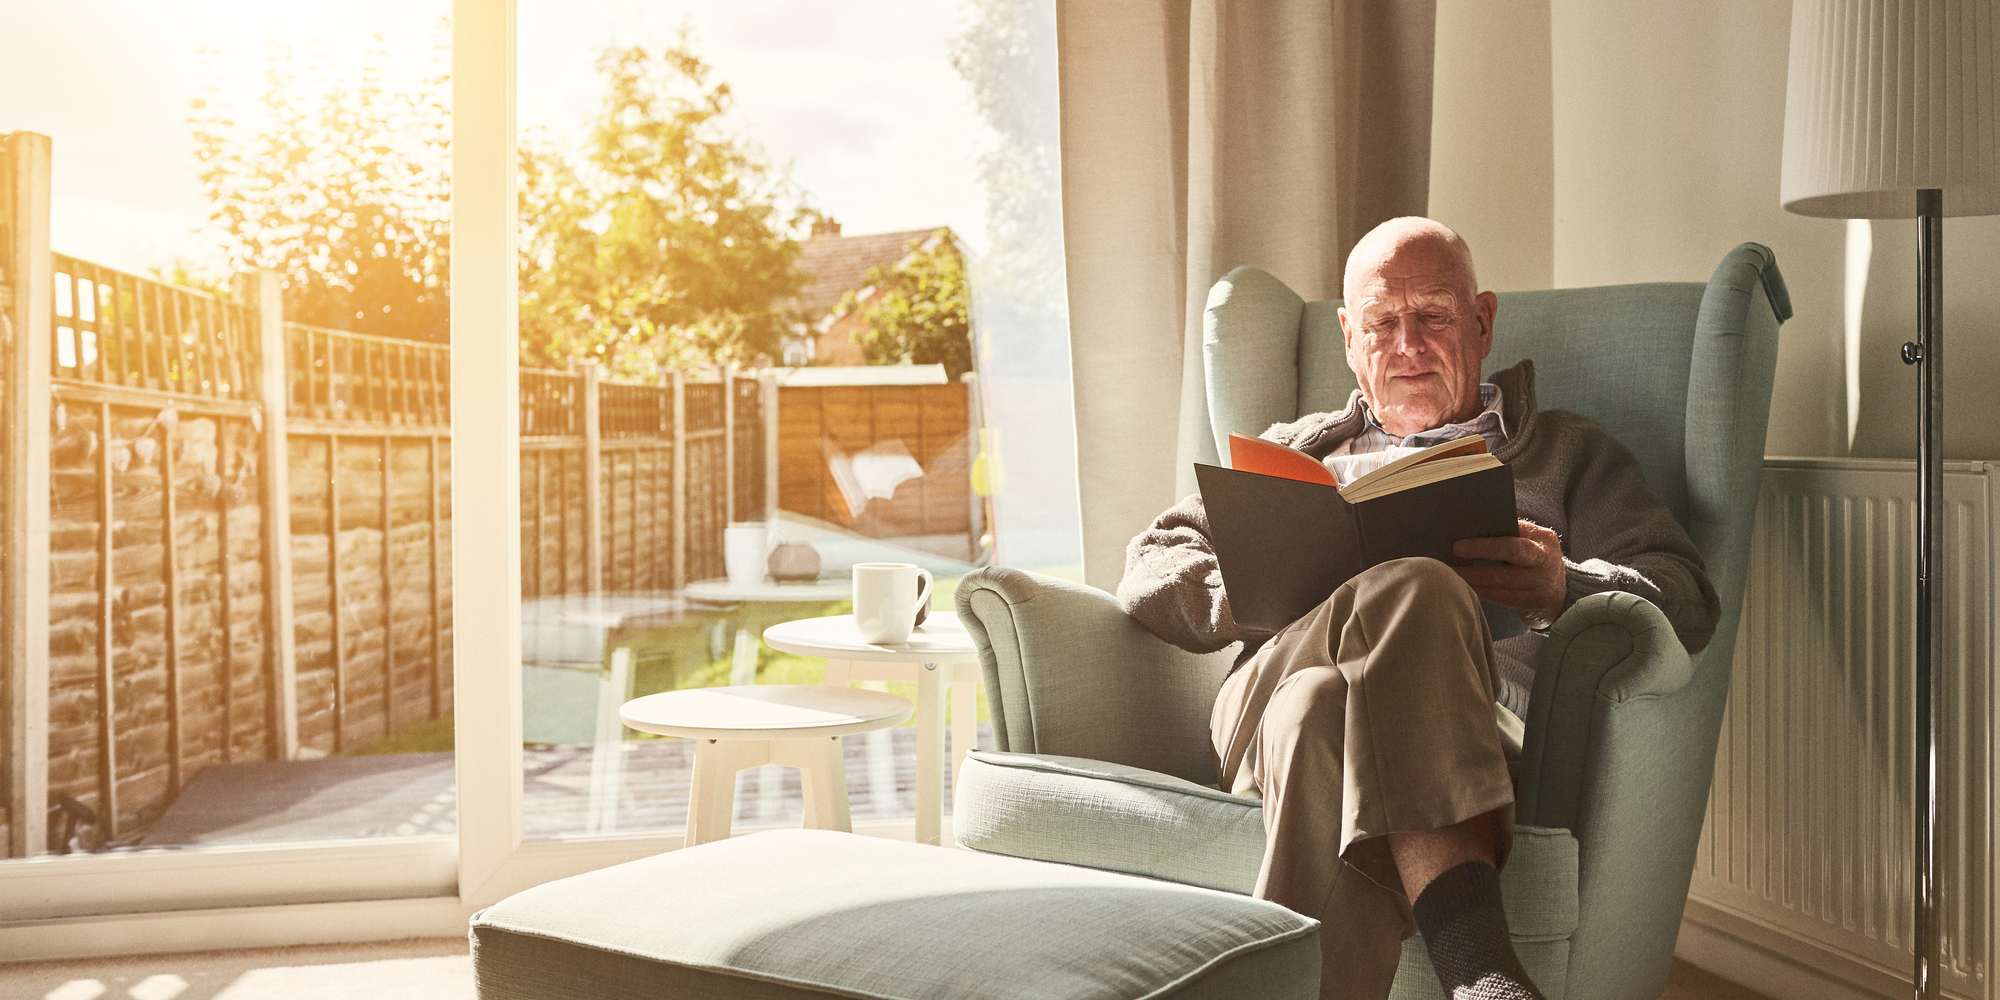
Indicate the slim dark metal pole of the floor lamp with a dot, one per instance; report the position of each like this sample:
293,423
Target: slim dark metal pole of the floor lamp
1929,359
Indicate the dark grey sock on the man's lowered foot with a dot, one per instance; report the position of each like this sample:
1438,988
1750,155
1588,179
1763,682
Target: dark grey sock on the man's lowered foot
1463,925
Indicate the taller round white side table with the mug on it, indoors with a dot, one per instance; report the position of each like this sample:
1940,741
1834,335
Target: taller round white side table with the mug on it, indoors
937,657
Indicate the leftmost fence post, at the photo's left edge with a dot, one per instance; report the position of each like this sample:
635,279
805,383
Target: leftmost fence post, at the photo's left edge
29,333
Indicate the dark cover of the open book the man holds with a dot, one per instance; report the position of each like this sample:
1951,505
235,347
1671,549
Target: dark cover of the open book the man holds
1287,545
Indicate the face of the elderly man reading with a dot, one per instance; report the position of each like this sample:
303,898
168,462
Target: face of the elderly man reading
1415,335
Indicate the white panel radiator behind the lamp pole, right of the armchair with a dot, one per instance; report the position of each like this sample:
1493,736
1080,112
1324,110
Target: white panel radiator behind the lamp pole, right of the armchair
1803,877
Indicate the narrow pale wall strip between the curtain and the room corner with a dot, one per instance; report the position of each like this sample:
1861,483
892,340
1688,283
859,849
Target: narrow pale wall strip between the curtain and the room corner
1491,145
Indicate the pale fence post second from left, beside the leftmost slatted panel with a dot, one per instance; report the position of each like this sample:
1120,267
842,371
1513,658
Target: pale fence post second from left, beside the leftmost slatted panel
265,299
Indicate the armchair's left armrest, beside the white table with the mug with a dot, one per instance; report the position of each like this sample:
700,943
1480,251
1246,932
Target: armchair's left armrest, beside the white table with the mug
1069,673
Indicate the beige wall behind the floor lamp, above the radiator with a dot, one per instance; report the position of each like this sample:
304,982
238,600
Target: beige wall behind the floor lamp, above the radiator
1667,135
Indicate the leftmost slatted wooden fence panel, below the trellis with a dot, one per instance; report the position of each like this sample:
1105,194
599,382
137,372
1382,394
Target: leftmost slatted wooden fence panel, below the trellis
157,653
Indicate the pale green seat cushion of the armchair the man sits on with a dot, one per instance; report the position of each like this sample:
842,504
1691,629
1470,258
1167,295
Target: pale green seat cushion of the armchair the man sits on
1121,819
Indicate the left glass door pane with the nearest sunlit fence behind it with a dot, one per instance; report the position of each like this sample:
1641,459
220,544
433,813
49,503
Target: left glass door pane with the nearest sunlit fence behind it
249,565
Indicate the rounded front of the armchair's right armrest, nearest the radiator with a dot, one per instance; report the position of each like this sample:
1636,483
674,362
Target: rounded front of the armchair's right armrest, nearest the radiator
1607,653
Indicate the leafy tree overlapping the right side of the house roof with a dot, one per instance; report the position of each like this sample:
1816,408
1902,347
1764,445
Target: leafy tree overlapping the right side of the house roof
921,309
